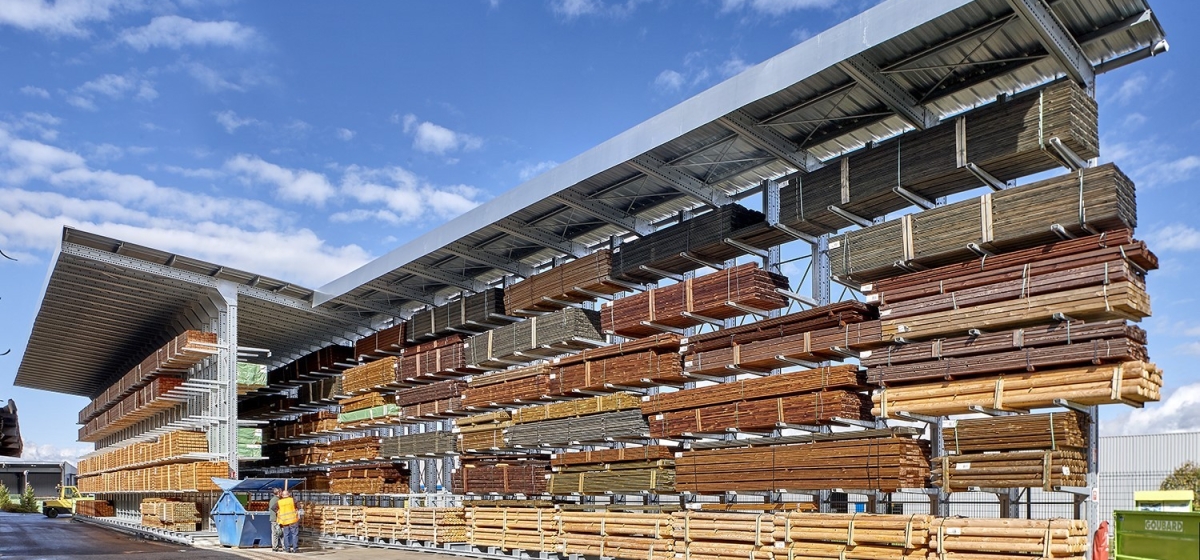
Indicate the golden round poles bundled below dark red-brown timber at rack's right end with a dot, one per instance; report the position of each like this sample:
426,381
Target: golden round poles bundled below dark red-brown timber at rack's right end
1108,384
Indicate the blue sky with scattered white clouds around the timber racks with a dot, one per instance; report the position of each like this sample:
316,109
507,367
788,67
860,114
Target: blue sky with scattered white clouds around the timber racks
302,140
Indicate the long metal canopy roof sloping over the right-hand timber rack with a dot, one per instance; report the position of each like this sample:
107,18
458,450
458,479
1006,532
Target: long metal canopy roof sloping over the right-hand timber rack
901,65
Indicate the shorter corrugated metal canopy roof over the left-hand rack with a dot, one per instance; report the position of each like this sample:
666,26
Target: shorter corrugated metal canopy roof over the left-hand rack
110,304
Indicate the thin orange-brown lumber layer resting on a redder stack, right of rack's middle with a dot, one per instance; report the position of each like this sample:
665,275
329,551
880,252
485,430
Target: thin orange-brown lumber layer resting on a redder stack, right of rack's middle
784,384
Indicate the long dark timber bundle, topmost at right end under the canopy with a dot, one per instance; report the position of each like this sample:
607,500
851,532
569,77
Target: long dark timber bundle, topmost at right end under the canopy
1007,140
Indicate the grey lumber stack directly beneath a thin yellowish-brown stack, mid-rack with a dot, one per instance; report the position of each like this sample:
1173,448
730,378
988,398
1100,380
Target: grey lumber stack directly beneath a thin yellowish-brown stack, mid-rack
597,427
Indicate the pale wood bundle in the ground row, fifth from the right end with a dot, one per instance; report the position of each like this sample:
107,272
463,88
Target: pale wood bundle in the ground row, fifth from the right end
513,528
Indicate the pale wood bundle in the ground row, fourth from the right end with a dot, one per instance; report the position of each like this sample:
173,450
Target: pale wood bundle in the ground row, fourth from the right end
625,535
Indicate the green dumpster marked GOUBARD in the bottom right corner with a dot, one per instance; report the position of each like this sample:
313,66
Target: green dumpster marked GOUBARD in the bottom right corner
1157,535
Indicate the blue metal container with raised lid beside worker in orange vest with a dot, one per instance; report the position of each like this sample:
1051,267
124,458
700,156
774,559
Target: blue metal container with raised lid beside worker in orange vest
238,527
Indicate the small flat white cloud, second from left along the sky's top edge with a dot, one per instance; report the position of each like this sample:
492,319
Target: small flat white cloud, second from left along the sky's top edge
177,32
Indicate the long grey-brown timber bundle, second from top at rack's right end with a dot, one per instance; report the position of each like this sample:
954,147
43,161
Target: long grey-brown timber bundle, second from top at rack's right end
1007,221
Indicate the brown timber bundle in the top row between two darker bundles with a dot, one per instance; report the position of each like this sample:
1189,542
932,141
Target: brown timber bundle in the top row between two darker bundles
574,282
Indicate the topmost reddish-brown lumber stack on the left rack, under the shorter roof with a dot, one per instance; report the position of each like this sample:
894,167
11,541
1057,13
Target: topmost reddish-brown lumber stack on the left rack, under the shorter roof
173,359
